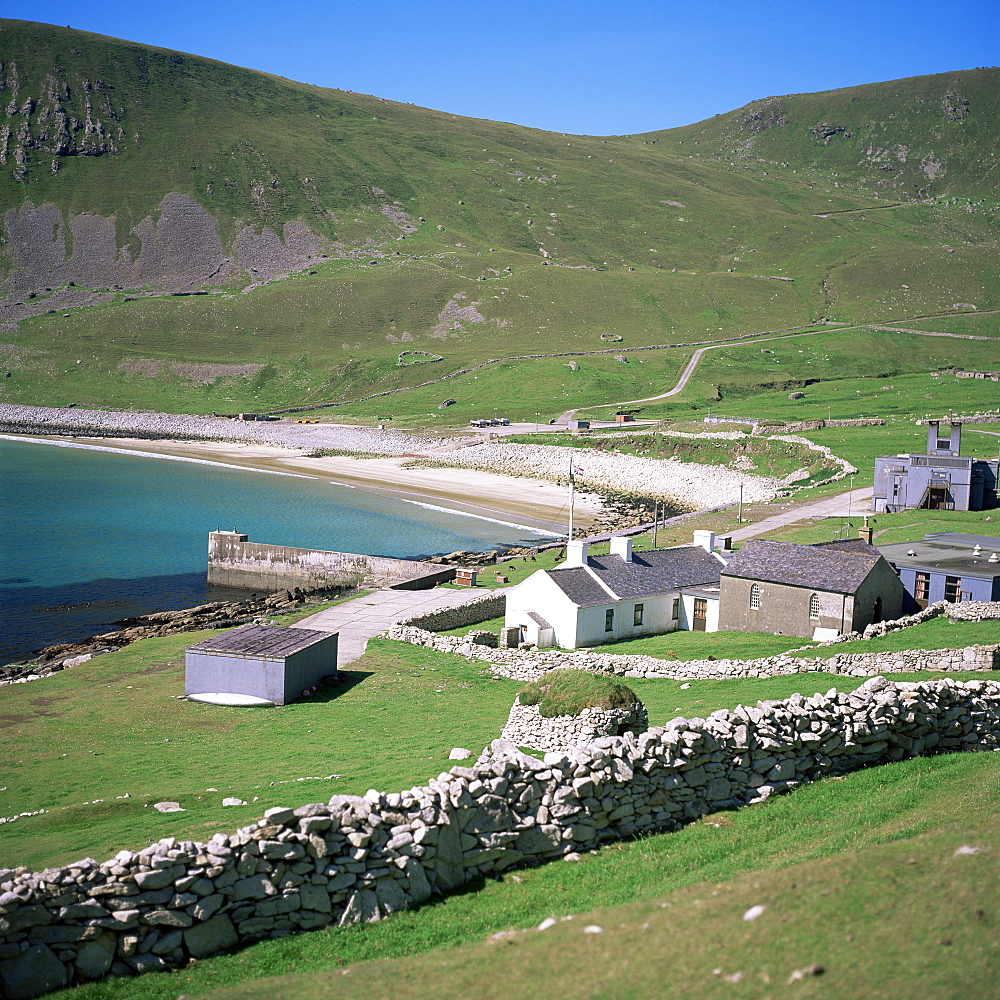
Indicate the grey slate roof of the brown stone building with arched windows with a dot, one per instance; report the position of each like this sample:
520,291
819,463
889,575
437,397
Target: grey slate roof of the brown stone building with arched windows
820,567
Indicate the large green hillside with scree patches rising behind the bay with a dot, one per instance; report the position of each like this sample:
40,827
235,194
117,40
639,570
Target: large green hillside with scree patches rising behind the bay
410,229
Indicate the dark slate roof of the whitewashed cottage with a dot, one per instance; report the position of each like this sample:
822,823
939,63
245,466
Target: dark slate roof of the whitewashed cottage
652,572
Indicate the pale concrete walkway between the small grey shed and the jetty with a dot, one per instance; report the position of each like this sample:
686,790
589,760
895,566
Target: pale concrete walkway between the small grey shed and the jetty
361,619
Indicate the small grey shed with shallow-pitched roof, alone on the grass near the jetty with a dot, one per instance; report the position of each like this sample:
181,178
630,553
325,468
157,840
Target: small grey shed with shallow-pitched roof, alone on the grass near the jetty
259,664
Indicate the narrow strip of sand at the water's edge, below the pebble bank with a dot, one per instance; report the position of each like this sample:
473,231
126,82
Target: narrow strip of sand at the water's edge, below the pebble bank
520,502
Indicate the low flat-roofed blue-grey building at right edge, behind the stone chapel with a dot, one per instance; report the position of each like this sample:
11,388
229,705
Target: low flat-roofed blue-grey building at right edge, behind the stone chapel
947,566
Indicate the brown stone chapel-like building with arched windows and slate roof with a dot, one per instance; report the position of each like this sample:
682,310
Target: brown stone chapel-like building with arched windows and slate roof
813,591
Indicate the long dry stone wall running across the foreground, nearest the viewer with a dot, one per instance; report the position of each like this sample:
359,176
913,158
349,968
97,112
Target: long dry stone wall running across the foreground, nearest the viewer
360,858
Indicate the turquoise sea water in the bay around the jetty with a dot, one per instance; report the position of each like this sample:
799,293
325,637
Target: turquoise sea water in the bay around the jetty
91,537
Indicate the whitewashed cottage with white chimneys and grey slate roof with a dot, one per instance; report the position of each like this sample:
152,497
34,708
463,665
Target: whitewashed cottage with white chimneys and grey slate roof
589,600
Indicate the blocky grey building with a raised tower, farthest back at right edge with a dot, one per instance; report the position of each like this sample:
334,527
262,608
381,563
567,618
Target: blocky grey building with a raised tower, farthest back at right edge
941,479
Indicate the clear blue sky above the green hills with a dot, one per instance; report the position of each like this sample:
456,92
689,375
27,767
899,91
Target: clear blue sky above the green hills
607,67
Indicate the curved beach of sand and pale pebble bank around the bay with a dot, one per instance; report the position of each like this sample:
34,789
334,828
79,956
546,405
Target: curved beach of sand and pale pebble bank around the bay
518,483
